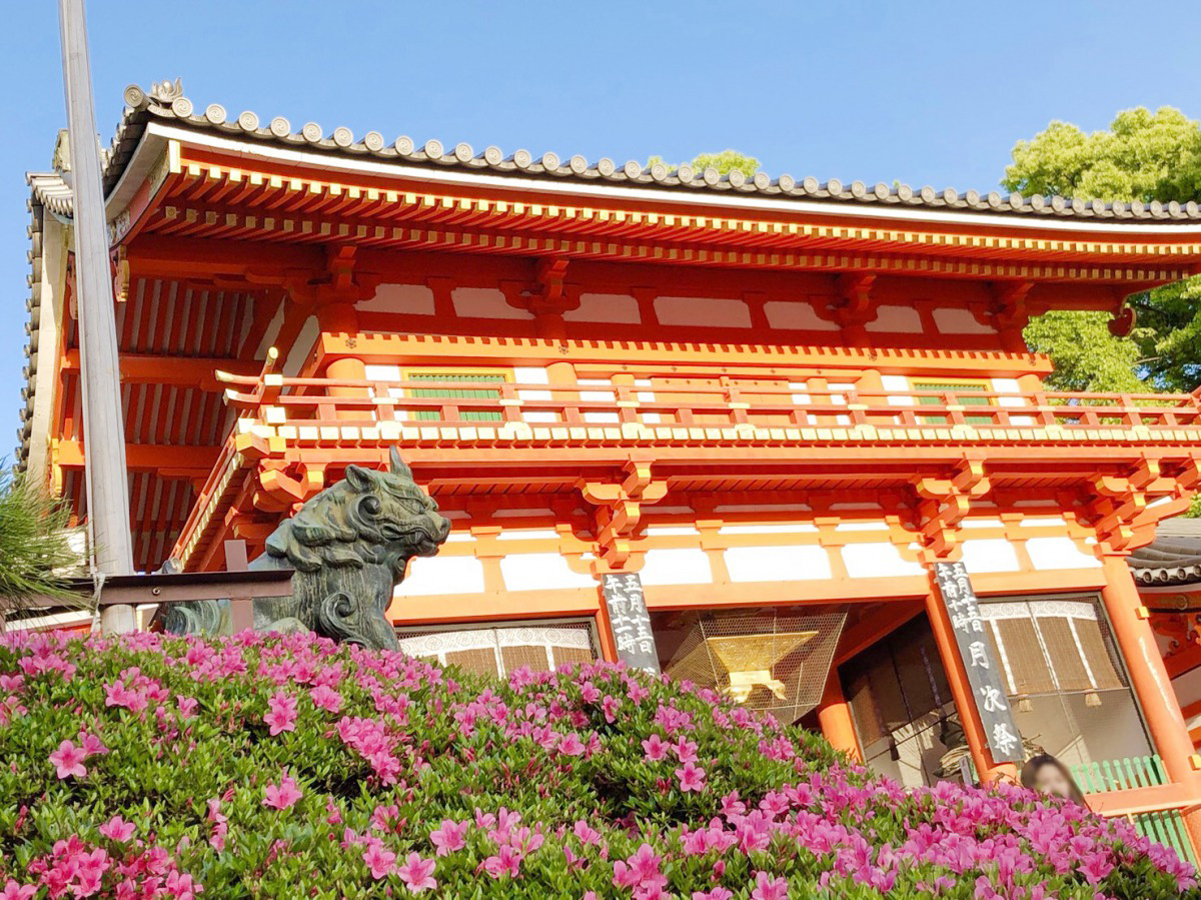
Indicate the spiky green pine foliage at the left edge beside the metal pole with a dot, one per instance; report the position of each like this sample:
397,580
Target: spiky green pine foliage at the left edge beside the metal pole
35,545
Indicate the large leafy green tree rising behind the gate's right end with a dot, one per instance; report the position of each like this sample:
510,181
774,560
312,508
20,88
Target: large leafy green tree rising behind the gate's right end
1145,157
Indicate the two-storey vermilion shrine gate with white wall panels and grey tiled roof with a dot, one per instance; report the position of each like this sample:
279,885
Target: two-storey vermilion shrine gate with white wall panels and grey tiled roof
779,404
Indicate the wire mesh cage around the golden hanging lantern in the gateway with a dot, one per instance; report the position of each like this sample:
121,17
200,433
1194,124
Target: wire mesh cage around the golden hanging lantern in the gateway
772,660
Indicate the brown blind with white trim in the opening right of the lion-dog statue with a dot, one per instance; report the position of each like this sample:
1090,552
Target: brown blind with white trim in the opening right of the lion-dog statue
500,651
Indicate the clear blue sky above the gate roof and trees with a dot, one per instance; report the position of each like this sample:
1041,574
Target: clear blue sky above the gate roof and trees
924,92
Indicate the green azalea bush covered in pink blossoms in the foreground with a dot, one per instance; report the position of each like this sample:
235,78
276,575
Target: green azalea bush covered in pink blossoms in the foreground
290,767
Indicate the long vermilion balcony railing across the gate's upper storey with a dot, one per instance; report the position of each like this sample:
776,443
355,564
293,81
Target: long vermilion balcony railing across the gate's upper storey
713,409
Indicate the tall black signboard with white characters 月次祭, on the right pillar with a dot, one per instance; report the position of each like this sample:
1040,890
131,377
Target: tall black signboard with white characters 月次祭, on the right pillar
983,667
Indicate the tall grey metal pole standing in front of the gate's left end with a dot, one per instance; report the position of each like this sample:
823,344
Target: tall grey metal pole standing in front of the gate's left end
109,504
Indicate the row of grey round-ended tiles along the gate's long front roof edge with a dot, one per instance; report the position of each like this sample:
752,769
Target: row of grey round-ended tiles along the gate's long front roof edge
168,103
